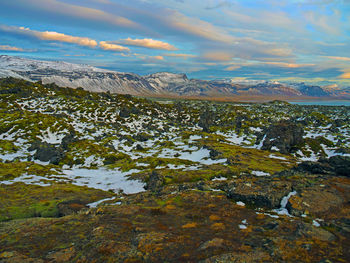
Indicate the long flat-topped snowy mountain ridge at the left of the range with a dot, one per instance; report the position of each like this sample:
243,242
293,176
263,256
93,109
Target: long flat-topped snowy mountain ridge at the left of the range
74,75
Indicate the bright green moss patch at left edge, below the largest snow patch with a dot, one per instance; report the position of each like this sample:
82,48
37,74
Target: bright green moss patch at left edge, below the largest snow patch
19,200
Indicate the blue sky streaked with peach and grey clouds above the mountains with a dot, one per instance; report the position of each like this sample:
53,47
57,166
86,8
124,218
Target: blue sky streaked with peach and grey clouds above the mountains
243,40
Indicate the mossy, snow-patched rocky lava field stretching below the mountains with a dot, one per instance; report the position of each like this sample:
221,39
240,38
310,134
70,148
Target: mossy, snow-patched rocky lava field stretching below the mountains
102,177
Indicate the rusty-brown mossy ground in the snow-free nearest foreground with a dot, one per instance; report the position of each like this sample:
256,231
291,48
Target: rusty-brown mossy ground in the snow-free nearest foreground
189,227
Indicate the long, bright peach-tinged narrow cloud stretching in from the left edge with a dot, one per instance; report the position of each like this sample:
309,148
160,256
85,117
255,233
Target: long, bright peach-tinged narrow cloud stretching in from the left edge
50,36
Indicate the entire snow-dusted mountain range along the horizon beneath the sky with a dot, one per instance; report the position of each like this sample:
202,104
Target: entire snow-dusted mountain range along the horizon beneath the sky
162,83
